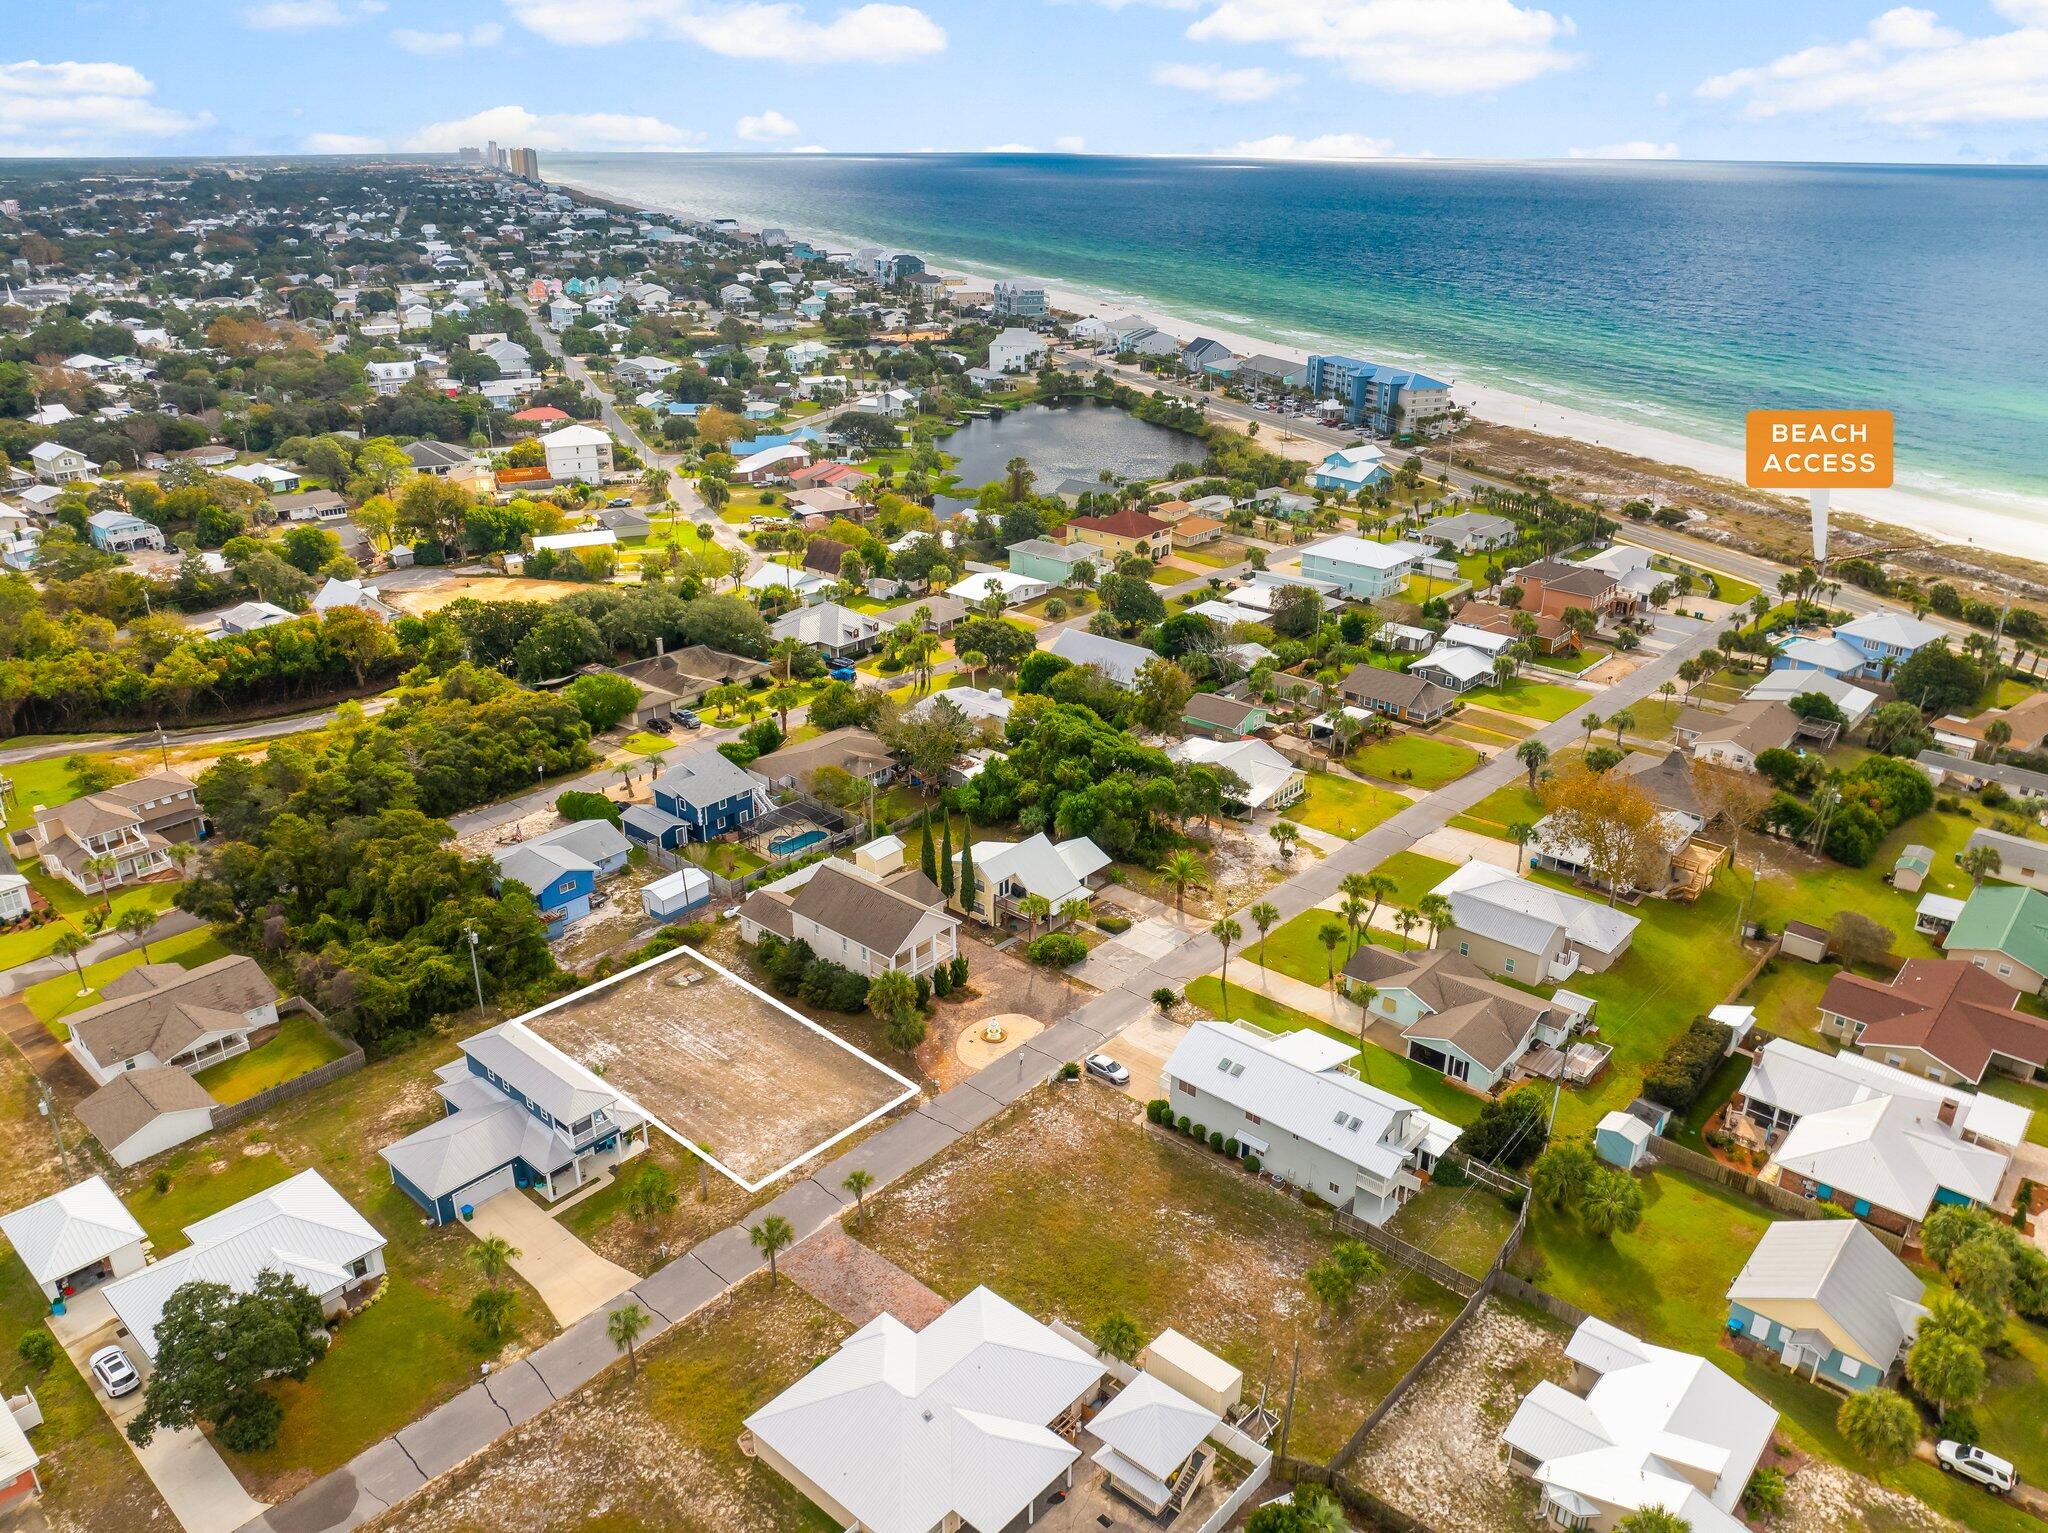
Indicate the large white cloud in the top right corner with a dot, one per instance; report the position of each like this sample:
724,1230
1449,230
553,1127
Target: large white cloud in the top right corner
1908,71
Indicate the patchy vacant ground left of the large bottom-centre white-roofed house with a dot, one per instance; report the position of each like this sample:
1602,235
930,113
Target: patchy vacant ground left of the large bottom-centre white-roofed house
652,1454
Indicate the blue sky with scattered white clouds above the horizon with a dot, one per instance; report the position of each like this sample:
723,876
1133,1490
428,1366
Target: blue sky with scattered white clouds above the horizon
1820,81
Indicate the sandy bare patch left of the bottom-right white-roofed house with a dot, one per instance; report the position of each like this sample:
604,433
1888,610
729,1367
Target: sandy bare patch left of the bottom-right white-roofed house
1439,1454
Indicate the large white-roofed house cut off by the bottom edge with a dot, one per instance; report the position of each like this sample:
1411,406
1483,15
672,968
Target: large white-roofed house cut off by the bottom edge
968,1423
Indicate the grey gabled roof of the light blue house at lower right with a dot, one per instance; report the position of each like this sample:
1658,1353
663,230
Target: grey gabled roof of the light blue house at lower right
1838,1264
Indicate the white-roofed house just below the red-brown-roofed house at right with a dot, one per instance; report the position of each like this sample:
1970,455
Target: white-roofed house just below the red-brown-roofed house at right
1881,1143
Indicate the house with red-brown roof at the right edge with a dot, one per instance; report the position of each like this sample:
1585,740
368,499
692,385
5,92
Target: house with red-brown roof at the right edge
1938,1018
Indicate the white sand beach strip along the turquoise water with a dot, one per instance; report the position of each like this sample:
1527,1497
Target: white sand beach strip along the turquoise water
1957,525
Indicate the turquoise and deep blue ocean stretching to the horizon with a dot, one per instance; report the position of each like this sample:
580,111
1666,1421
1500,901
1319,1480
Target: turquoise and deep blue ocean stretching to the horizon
1656,296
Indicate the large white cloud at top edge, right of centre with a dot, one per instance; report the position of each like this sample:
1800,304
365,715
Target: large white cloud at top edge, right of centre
1443,48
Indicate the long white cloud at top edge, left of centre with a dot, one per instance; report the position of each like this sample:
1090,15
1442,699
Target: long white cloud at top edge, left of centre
744,30
